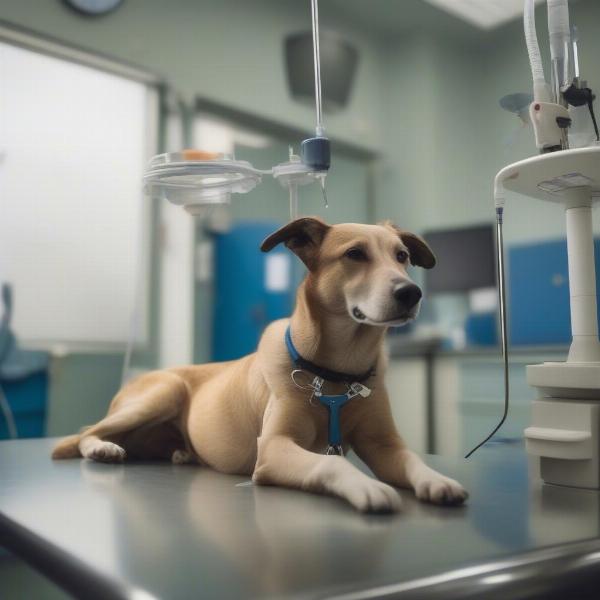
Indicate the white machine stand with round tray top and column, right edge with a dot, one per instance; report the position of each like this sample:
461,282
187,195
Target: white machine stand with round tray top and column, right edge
565,432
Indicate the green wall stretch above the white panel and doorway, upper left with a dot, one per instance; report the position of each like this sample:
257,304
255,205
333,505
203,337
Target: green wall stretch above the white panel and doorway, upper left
226,50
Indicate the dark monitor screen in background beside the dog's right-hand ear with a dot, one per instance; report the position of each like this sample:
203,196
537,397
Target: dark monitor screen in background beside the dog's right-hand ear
465,259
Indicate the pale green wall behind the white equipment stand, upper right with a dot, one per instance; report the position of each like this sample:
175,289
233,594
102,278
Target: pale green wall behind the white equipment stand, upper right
446,135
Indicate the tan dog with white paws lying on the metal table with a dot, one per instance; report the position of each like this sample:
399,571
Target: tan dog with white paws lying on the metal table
248,417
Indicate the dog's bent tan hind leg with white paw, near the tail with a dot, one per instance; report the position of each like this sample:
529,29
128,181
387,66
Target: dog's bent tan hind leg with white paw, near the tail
149,400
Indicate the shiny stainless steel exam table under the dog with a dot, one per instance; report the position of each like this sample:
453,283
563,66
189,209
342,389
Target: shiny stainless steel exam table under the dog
156,530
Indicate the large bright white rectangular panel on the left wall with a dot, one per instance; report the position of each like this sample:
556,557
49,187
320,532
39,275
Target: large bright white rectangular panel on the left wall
73,219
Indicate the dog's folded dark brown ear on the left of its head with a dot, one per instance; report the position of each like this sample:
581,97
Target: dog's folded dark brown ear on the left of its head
302,236
